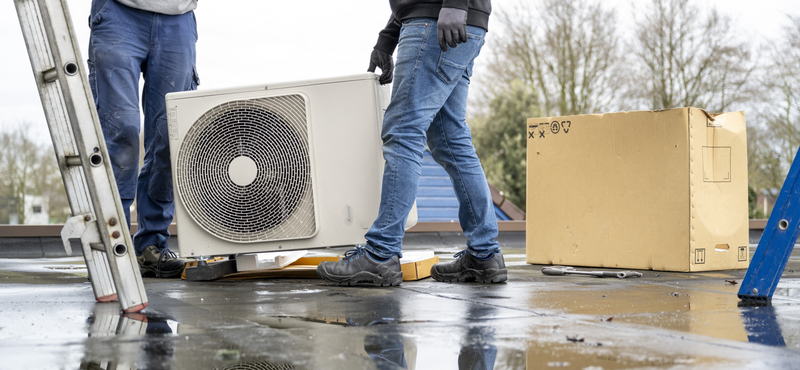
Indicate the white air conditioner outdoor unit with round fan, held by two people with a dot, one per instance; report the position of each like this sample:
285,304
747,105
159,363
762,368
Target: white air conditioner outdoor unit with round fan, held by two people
278,167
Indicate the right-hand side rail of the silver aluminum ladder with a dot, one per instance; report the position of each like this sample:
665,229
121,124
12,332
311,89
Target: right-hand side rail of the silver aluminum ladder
88,134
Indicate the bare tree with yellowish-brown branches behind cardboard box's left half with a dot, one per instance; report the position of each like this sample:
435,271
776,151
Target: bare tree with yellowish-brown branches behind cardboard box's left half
567,51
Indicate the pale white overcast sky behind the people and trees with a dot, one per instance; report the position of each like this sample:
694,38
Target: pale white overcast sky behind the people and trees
266,41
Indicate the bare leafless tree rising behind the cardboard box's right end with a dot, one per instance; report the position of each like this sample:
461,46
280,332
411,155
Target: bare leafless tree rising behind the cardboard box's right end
690,59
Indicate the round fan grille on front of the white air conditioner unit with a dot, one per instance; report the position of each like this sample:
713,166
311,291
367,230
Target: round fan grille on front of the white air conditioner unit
272,203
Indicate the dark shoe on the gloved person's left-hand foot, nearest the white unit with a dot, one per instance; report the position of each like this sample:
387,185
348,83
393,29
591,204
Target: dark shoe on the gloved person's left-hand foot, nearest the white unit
352,270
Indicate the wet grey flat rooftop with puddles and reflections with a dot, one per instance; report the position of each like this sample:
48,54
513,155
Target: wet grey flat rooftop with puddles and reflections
663,320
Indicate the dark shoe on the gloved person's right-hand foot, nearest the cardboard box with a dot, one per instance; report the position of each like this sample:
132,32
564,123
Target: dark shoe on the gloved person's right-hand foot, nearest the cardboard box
468,268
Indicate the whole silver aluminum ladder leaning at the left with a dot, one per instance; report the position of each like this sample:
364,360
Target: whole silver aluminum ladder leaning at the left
98,220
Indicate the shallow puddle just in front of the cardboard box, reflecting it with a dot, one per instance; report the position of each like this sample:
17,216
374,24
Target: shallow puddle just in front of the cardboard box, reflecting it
698,310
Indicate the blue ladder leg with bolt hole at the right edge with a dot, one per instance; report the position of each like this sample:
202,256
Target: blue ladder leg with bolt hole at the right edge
776,242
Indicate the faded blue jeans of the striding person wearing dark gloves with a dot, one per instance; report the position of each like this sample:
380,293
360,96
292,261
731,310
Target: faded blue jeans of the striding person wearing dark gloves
429,103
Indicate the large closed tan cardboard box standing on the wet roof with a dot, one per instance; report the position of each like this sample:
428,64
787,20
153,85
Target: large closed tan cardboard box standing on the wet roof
662,190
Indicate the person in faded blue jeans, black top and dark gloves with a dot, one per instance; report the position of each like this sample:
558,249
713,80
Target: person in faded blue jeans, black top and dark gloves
437,43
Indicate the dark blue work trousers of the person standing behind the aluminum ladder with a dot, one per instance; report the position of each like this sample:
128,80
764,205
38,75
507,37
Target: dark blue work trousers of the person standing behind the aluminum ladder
124,43
